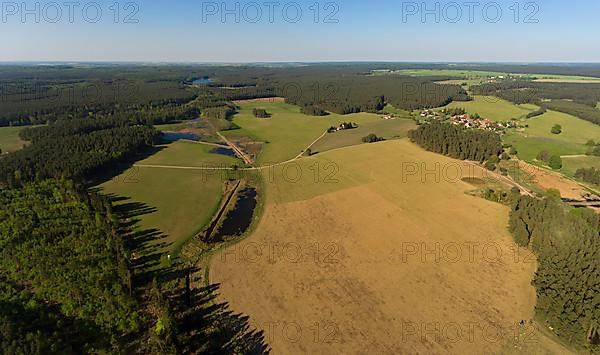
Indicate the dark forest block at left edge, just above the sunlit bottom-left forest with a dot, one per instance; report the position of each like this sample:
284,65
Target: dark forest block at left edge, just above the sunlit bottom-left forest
75,149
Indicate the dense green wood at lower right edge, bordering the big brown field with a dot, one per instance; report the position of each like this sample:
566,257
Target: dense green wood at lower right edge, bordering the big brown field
567,244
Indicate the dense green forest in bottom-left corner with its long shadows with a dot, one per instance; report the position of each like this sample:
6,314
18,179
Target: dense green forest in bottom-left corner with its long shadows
71,284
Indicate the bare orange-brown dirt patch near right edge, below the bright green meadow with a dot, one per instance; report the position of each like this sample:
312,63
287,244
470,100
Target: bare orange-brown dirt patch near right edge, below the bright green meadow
546,179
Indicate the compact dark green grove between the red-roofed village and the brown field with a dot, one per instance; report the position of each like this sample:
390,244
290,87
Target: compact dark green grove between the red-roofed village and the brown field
457,142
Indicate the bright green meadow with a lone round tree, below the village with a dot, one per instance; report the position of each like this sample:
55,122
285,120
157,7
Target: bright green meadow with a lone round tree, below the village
537,137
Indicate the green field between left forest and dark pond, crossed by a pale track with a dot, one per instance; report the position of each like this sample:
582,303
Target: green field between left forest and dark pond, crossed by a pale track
185,200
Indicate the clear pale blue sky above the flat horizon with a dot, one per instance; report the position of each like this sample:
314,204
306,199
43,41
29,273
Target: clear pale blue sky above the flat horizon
300,31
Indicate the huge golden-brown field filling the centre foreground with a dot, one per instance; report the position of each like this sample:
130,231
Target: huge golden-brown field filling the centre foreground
363,258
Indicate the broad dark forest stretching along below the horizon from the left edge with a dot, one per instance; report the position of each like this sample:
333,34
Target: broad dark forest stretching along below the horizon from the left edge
34,95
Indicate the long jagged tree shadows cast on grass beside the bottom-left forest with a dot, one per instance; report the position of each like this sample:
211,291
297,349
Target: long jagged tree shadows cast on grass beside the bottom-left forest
202,324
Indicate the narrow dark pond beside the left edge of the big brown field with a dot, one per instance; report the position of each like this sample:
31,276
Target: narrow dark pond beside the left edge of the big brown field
239,219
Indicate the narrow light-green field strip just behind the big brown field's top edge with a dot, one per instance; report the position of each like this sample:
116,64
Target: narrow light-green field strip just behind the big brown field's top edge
388,129
